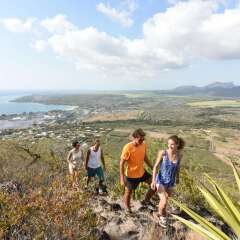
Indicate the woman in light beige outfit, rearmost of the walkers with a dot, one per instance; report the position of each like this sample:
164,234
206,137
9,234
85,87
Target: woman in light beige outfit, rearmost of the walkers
75,159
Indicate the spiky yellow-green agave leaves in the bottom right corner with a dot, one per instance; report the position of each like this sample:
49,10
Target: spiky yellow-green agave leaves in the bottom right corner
221,204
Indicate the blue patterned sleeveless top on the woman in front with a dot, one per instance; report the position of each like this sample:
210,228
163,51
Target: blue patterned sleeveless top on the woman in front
167,173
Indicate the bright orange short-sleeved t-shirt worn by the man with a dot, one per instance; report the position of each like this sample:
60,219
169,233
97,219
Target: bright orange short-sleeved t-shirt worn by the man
134,155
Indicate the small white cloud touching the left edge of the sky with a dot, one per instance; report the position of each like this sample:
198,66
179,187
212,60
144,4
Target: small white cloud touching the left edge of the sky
18,25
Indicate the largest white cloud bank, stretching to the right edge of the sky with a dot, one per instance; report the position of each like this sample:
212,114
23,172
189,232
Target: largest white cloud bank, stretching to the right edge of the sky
185,32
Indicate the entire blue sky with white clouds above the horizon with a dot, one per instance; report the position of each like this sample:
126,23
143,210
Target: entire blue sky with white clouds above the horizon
118,45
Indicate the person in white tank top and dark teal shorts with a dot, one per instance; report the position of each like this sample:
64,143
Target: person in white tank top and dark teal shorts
93,164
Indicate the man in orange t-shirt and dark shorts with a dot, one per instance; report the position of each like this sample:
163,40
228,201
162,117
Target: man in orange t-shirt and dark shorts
134,155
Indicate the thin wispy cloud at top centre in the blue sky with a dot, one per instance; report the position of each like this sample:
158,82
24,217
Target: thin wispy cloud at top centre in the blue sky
124,17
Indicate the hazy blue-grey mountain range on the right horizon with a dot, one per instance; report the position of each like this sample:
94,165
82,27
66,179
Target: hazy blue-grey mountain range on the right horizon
216,89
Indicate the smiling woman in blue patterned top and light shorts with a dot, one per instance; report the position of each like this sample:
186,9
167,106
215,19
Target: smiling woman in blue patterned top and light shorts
164,181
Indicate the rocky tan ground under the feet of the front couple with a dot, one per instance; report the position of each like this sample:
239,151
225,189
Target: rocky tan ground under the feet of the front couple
142,224
